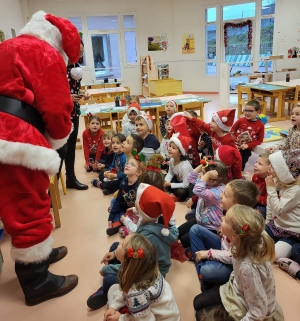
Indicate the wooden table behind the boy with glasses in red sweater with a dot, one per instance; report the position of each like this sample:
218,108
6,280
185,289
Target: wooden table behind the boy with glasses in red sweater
274,91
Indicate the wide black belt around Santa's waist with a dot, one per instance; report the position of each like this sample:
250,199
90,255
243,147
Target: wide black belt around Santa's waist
22,110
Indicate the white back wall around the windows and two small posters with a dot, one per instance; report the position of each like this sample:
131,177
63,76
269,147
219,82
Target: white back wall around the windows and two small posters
176,17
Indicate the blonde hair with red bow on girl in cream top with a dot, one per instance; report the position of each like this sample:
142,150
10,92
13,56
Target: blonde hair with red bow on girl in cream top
253,241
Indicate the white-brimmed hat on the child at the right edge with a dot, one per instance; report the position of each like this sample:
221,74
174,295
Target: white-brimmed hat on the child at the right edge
286,165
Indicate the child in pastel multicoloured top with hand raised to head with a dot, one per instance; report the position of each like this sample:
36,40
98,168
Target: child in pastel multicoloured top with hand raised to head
208,189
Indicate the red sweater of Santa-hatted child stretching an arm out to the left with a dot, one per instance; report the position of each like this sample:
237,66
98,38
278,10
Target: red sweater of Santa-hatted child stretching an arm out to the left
217,141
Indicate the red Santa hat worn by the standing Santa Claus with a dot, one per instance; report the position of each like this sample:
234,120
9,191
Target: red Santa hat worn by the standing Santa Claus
64,37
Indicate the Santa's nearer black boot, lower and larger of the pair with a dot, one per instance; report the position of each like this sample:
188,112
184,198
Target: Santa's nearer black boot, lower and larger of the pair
39,285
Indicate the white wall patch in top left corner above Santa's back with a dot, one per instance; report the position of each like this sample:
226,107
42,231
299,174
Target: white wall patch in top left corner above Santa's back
10,17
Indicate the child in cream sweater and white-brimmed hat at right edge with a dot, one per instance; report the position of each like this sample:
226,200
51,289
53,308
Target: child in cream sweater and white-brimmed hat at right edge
283,201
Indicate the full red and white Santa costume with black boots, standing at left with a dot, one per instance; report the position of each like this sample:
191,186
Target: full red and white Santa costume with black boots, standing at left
34,121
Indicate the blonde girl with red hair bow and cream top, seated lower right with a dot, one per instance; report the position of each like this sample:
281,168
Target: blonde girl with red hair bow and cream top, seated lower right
250,292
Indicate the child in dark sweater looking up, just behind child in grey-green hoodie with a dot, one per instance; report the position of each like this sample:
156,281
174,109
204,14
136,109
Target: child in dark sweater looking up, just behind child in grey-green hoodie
127,193
